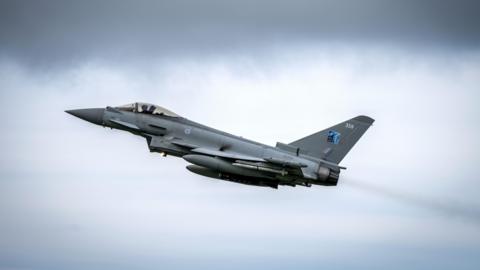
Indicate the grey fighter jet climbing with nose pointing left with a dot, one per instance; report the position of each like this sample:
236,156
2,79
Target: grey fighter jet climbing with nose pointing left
312,160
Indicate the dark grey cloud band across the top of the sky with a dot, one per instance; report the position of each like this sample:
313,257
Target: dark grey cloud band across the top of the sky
53,31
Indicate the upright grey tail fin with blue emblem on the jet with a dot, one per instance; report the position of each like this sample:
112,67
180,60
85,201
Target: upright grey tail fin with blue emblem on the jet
334,143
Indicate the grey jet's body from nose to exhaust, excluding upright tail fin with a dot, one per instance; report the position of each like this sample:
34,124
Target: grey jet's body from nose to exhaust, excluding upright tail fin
218,154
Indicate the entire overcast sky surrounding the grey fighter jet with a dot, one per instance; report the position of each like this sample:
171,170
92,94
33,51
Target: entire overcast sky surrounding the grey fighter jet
77,196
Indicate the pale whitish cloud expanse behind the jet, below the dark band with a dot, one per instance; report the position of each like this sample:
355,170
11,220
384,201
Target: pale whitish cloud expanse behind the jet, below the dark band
66,203
